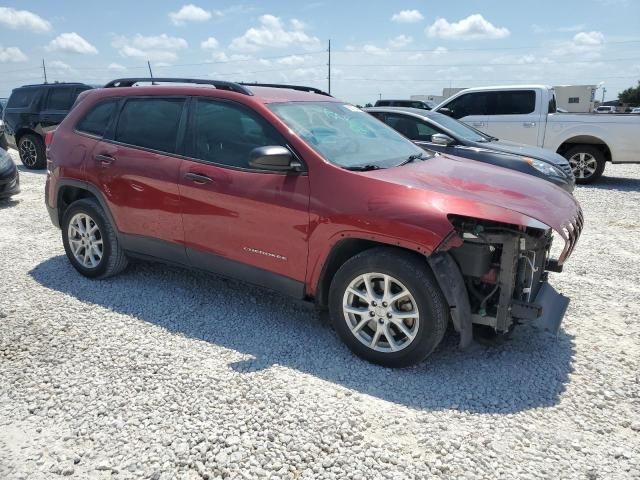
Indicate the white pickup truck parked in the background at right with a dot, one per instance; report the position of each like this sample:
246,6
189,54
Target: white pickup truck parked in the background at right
527,114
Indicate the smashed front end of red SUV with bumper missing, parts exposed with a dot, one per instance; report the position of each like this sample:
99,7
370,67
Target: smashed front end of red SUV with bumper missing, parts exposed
503,270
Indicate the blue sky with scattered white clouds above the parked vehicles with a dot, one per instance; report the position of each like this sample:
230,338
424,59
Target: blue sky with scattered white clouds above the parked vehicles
393,49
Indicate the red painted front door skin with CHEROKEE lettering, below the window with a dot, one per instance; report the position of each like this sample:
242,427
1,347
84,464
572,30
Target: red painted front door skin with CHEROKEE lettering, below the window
241,213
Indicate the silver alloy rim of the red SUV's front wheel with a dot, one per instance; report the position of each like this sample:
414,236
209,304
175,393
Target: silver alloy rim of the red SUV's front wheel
381,312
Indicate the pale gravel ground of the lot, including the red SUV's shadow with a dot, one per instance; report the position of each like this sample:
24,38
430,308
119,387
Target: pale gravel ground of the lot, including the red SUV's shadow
163,373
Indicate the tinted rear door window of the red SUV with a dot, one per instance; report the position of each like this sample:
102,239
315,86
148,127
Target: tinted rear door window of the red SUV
150,123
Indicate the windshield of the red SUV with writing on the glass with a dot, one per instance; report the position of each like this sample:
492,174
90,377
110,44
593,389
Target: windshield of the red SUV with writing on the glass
345,135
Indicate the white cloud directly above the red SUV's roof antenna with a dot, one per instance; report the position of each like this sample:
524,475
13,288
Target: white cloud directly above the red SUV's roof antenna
156,48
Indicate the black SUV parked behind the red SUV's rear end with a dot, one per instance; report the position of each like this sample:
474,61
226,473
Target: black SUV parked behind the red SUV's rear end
31,111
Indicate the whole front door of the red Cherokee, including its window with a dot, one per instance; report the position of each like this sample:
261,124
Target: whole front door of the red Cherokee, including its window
240,221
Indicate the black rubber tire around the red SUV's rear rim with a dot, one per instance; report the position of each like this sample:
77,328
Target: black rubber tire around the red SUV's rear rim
113,259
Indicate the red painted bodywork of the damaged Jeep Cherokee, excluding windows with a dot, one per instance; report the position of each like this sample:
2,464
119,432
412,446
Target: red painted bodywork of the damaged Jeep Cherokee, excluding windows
300,217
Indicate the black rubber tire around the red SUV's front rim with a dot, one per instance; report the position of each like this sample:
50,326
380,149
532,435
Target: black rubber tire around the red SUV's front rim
414,273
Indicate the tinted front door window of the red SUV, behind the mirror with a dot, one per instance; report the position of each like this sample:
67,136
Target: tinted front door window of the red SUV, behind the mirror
225,133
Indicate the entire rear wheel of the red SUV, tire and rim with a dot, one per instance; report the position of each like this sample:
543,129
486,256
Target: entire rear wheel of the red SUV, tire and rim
90,241
